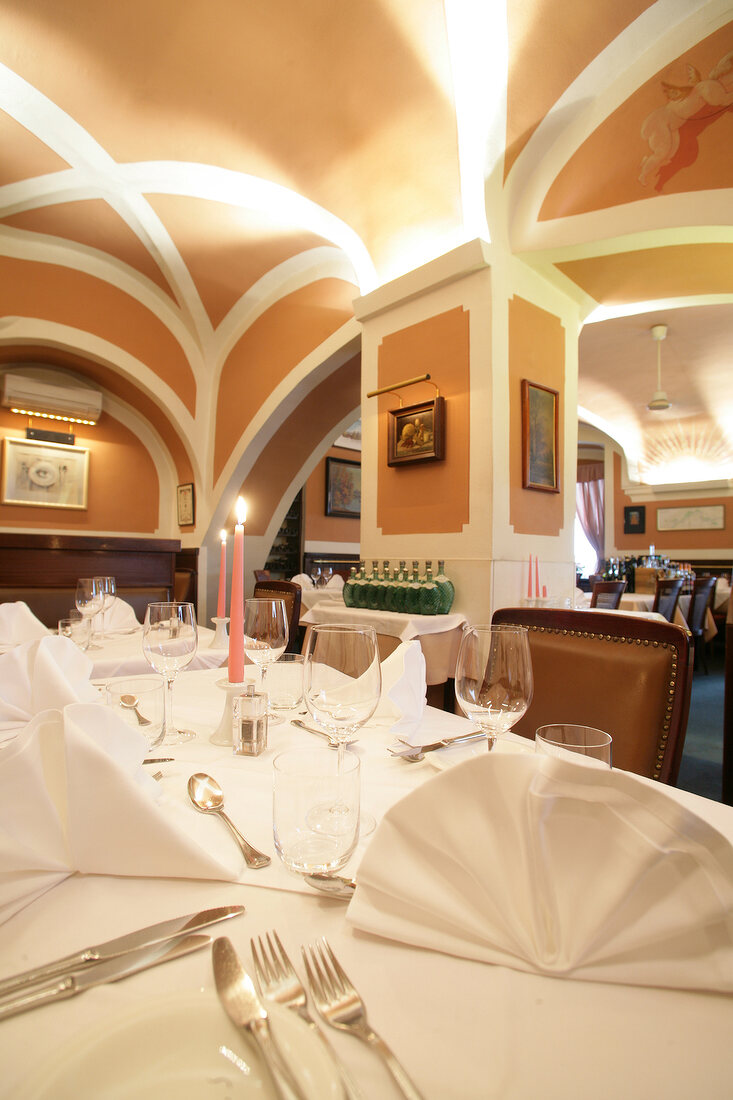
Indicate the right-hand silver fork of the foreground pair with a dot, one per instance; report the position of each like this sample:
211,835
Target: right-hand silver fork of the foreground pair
341,1006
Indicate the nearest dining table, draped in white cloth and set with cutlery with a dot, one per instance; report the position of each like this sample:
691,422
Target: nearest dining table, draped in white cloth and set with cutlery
464,1030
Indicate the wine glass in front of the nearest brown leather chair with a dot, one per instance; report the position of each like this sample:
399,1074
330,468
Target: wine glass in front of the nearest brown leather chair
494,677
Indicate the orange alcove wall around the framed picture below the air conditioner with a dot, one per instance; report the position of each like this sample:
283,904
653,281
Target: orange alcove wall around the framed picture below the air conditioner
124,486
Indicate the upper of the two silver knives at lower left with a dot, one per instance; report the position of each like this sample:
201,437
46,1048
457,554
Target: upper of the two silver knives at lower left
145,938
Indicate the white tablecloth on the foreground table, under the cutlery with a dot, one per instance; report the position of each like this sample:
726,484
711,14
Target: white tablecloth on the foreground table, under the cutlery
466,1031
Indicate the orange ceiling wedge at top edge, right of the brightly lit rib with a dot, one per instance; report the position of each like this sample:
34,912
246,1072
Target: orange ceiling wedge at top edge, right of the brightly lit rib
578,31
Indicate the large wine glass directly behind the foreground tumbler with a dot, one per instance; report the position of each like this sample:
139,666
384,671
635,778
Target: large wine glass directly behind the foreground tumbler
342,688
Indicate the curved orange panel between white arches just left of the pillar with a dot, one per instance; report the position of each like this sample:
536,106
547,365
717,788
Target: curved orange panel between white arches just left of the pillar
276,344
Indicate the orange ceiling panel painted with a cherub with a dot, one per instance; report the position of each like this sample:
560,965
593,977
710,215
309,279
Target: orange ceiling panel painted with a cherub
608,170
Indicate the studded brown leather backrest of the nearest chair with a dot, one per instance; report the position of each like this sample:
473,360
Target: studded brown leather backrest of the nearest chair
622,674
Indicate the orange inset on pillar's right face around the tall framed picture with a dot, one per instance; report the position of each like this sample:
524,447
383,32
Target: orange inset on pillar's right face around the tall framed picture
538,354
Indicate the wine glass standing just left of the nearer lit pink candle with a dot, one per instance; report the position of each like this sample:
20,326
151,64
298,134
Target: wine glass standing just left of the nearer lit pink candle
170,644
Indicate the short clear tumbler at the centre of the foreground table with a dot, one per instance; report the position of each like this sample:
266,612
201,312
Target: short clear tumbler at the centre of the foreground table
308,786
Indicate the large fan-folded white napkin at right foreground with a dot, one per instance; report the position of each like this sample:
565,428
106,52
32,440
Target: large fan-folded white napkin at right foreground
541,865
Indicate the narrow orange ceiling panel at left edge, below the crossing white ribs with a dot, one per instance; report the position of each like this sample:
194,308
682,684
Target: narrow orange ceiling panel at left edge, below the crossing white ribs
95,224
